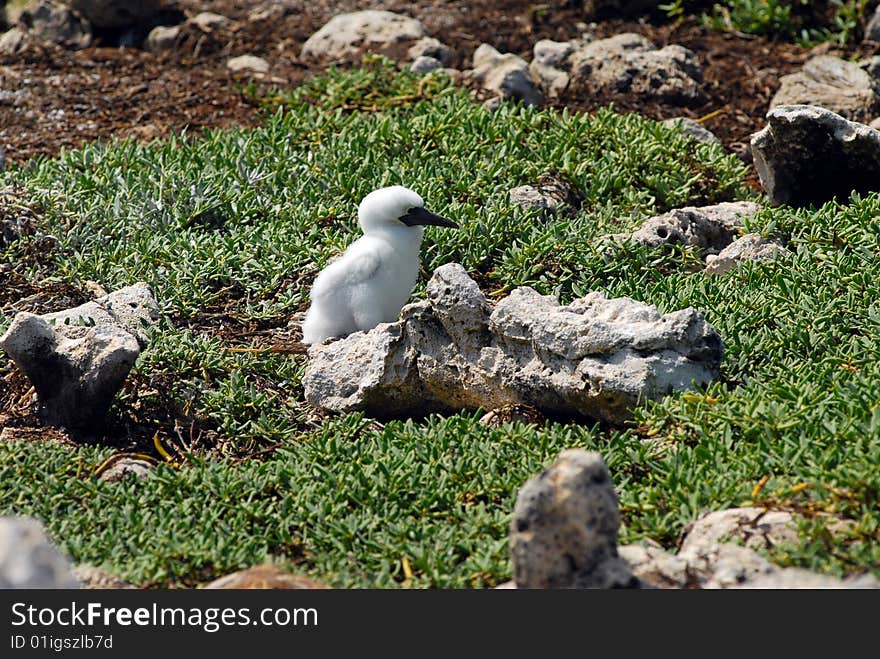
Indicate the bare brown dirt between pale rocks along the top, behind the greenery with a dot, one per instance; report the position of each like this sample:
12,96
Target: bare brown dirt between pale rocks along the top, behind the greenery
52,98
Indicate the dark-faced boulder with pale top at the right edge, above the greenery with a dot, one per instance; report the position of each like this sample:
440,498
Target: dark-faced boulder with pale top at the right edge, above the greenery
809,155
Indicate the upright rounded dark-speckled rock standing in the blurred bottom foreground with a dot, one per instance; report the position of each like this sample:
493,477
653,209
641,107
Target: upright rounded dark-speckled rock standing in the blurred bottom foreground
564,528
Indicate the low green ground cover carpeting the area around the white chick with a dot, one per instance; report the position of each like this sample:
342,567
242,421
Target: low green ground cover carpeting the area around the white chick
233,225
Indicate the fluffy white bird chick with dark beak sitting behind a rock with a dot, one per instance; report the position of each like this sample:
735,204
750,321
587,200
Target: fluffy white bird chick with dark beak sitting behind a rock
373,279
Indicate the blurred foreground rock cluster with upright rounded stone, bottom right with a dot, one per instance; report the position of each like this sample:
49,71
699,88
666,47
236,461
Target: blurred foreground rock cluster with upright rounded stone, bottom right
564,535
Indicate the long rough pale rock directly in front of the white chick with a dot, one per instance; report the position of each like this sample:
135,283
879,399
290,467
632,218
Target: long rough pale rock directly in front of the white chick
594,358
